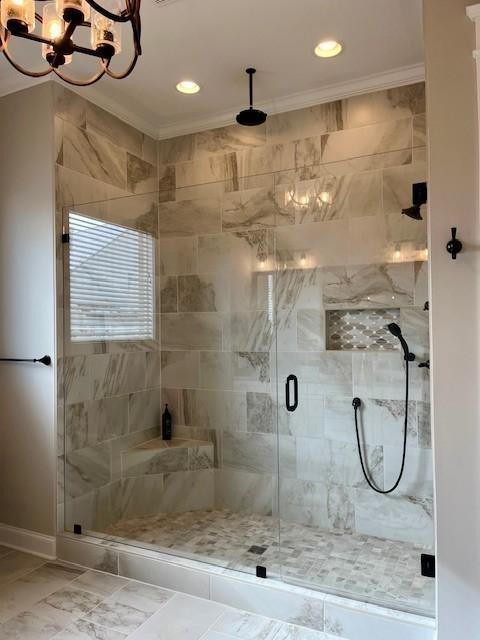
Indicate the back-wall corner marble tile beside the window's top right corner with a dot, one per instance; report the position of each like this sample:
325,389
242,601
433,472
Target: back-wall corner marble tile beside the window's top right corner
190,217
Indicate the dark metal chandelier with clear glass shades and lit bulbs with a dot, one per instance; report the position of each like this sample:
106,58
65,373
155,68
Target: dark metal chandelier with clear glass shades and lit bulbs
57,25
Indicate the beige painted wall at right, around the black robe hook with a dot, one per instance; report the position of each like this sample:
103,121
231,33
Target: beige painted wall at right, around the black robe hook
455,329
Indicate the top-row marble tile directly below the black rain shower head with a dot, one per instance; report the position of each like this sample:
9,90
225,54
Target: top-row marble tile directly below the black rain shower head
231,138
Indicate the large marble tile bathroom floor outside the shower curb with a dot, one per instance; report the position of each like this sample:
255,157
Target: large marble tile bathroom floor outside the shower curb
40,600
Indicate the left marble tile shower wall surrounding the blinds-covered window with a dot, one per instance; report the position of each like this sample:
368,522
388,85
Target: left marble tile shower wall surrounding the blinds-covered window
109,393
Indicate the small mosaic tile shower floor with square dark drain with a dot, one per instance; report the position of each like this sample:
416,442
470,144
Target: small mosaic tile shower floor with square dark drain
363,567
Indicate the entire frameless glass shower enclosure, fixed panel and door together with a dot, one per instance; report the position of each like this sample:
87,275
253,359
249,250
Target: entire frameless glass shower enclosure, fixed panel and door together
206,299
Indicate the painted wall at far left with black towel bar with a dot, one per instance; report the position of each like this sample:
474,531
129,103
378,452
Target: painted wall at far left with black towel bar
27,320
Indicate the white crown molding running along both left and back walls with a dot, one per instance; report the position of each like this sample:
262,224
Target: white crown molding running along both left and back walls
302,100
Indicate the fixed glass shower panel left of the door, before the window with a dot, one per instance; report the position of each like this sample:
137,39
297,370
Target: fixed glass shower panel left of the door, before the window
210,492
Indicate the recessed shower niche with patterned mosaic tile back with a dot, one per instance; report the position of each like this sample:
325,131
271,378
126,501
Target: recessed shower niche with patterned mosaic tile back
361,329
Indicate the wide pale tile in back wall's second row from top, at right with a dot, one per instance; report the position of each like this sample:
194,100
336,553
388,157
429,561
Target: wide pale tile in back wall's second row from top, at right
370,139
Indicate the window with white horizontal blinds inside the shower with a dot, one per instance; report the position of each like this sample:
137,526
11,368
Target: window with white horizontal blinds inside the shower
111,281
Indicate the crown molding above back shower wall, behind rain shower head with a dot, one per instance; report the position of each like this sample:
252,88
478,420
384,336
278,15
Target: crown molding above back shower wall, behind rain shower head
302,100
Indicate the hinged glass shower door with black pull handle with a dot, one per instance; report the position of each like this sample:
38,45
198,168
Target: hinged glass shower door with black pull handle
349,263
